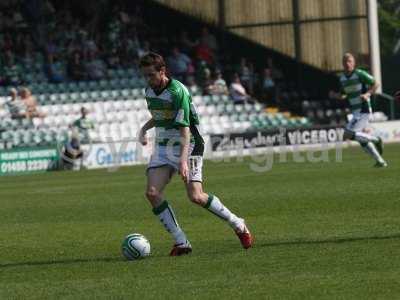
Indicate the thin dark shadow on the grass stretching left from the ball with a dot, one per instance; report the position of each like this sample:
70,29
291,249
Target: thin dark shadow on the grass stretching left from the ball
62,261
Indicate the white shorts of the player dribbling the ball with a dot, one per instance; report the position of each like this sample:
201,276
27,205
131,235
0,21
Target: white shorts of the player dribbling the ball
164,156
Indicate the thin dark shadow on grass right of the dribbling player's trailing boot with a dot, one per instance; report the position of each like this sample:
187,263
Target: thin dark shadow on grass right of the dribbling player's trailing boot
333,240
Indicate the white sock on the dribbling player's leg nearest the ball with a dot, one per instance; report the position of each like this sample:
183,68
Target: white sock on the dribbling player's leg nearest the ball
167,217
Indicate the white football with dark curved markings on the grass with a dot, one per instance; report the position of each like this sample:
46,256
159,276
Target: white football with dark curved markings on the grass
135,246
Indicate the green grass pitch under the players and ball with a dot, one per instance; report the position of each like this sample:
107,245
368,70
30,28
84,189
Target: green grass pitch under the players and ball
323,230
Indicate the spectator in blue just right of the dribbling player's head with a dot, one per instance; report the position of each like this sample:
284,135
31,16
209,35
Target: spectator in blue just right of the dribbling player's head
179,64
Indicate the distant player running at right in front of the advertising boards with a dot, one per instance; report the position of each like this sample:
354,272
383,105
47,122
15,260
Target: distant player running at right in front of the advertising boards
357,86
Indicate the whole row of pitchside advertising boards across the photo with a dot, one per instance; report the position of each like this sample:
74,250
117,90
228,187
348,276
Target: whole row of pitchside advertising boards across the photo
130,152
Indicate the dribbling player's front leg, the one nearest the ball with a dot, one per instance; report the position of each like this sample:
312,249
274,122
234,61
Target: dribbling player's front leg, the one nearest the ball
157,179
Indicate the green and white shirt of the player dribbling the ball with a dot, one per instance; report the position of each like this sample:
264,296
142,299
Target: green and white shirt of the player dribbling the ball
171,109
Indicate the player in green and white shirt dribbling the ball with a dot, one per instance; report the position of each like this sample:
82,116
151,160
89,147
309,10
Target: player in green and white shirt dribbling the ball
178,147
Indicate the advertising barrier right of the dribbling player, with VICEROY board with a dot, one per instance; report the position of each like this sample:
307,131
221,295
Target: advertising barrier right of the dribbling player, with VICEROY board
292,140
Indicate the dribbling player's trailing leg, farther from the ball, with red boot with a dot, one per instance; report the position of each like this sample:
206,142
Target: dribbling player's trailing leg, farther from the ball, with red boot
212,203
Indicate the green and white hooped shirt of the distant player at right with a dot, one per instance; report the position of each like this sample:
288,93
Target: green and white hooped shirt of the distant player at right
353,86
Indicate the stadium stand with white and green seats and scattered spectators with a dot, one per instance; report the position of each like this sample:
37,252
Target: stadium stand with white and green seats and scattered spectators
69,67
